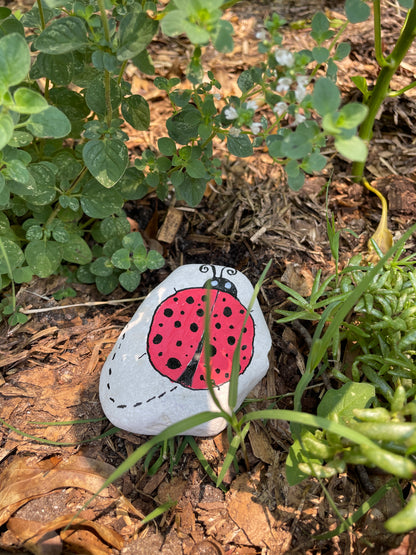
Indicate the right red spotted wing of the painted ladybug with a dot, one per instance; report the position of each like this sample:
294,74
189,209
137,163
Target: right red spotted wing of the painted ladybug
226,323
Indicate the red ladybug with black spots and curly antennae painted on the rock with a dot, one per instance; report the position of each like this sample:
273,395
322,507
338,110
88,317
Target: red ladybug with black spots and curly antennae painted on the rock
176,342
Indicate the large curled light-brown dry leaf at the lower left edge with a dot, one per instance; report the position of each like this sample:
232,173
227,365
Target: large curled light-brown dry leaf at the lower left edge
26,478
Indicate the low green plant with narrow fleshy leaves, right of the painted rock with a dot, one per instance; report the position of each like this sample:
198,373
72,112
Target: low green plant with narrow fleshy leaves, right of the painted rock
377,331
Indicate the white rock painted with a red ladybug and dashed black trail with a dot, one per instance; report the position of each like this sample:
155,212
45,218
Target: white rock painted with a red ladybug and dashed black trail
156,375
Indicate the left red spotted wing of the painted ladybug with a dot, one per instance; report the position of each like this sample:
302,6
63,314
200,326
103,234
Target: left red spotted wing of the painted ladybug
176,331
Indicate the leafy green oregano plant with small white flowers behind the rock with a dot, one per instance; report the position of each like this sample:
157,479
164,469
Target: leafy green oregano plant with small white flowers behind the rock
65,170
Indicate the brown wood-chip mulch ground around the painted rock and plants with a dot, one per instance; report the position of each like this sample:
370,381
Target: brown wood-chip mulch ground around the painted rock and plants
50,366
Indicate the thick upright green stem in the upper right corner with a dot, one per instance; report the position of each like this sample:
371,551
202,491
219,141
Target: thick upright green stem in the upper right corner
381,88
